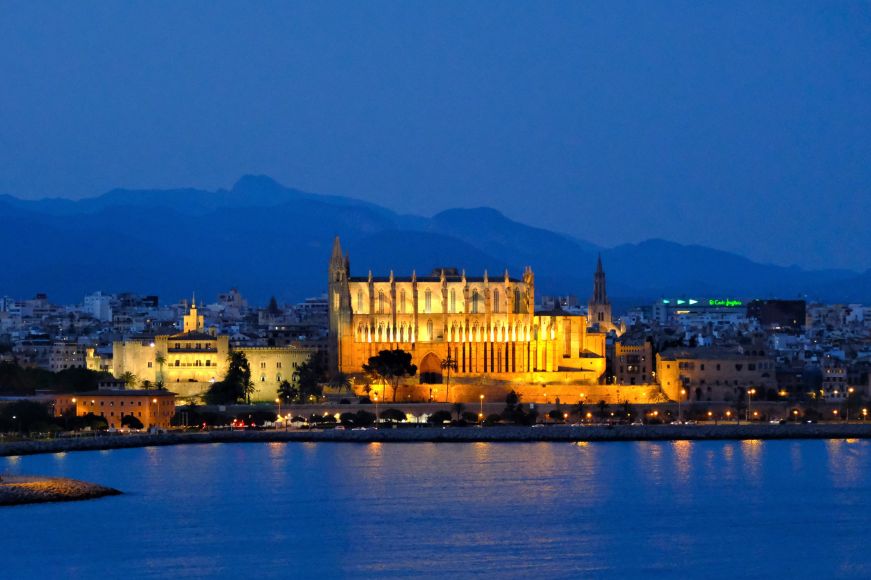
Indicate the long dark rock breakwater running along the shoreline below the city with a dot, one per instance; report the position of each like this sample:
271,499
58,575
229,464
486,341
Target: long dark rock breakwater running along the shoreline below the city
414,434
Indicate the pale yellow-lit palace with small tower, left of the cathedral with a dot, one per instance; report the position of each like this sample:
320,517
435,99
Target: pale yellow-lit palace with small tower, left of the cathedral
189,362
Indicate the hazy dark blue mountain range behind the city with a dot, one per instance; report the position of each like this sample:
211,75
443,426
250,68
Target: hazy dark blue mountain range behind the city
268,239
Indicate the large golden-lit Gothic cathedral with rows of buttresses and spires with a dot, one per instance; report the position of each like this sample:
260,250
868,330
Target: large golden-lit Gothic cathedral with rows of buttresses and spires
487,327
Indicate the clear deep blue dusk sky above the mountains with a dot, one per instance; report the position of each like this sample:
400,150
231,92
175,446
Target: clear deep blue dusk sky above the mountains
743,126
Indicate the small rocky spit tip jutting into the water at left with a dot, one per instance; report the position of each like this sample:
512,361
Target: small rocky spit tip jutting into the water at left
19,490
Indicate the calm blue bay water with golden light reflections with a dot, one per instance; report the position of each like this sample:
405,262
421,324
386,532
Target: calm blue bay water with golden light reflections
515,510
